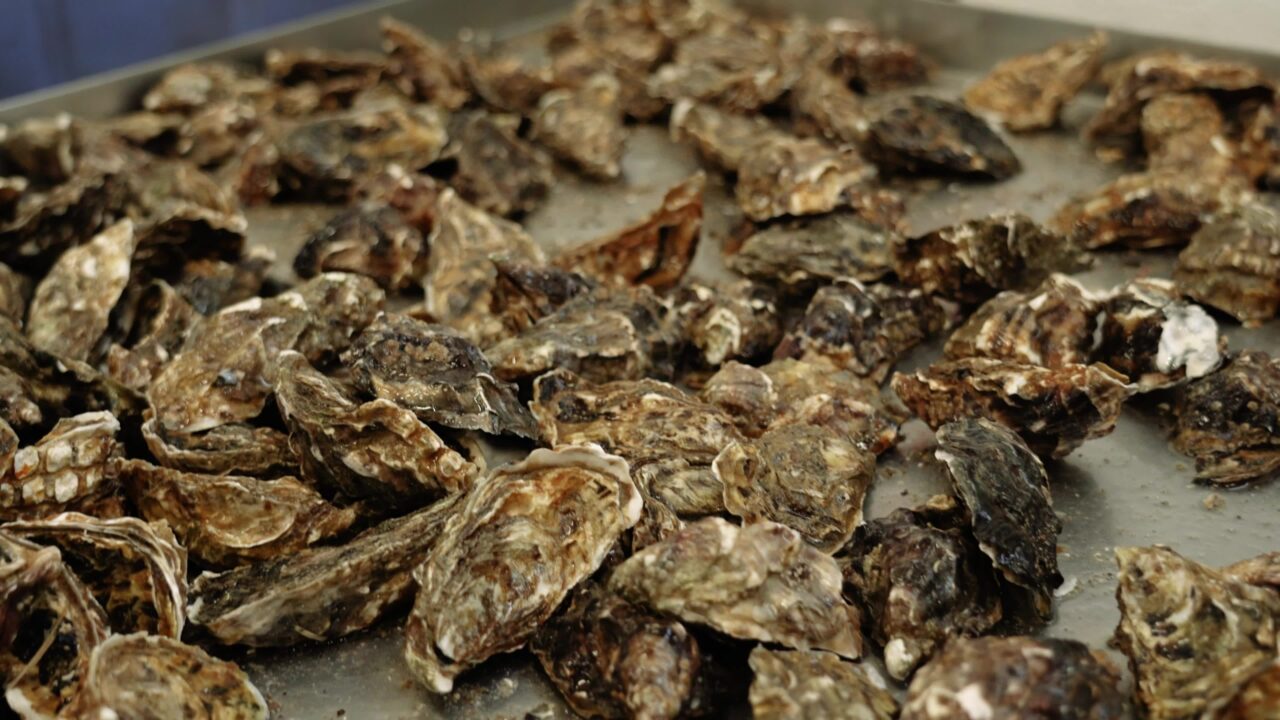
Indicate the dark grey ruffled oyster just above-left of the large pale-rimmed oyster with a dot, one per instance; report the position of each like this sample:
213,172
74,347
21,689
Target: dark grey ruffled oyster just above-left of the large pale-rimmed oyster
438,375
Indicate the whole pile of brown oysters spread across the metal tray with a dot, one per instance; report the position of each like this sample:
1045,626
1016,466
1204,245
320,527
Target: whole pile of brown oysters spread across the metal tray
196,454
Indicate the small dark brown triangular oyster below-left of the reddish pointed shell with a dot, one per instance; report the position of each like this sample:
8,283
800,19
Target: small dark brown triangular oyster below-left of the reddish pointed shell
527,293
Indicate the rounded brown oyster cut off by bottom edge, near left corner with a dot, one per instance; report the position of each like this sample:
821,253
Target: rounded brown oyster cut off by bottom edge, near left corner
149,678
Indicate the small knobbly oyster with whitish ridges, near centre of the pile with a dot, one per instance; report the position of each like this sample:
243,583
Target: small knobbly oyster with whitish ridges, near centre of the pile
739,321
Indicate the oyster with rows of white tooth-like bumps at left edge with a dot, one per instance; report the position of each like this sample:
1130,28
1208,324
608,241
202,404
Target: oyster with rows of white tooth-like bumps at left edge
74,466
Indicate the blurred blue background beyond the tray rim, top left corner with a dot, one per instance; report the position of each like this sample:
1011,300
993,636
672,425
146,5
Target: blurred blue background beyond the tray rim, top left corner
45,43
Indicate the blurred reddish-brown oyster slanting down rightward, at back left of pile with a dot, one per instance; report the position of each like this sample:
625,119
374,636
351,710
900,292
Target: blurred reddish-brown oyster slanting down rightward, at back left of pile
427,71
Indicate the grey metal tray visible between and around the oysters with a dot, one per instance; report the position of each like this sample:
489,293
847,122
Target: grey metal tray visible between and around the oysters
1128,489
